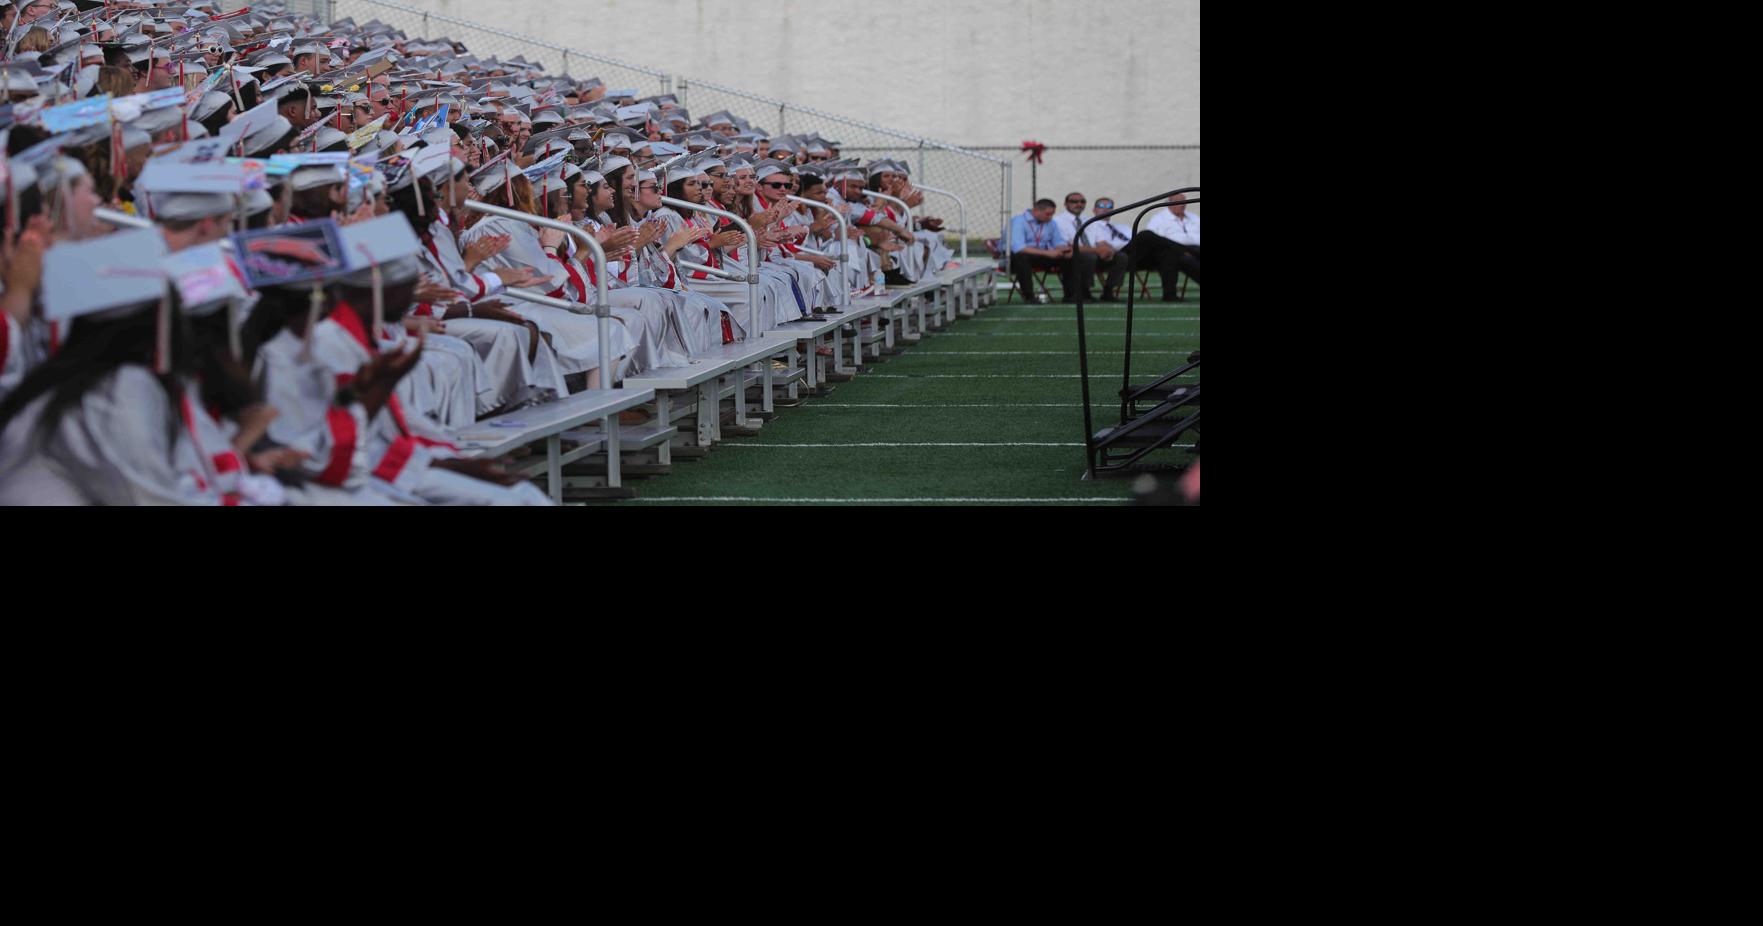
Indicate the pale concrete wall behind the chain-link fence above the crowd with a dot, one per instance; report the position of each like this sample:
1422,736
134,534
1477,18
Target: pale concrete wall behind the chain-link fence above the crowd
962,71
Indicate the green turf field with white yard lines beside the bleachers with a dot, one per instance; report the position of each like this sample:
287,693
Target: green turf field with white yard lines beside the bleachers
983,414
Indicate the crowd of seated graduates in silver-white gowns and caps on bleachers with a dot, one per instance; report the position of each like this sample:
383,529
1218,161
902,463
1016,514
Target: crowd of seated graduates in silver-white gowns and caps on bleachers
241,267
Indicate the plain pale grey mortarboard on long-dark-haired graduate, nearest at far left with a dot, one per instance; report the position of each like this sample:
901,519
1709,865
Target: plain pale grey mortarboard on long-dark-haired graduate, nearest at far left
112,274
